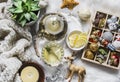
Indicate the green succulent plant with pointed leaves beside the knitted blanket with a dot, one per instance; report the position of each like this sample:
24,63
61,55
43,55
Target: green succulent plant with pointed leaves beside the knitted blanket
24,11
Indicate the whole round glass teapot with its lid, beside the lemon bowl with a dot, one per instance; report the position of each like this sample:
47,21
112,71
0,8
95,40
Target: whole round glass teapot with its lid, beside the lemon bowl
53,26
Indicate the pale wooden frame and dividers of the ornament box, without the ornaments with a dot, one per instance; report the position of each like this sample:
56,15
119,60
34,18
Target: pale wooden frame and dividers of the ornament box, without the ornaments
103,29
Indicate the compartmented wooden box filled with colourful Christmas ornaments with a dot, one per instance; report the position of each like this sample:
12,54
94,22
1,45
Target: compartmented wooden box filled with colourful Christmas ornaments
100,42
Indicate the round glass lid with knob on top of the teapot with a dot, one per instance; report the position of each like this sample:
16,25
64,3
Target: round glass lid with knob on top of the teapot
53,24
